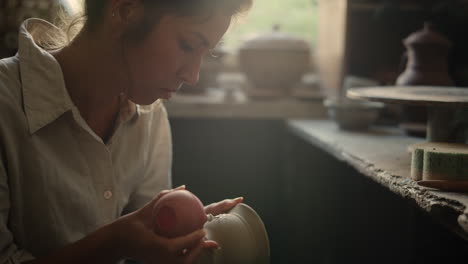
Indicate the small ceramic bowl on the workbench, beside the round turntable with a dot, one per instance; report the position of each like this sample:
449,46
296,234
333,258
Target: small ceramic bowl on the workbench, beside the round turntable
353,114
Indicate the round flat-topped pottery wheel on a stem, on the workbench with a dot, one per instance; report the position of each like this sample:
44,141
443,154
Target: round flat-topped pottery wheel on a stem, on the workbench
442,103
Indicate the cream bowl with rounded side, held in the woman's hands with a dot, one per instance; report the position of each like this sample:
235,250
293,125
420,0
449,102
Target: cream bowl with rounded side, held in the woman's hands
241,235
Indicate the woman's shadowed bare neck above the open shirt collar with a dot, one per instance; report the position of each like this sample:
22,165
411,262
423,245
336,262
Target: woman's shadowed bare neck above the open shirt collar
93,78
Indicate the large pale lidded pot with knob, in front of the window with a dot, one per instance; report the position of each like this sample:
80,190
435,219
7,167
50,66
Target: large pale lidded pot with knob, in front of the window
274,63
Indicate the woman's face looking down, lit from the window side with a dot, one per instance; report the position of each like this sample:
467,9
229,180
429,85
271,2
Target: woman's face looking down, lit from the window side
171,55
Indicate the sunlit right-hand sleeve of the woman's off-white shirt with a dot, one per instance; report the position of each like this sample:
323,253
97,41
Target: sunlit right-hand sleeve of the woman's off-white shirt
158,160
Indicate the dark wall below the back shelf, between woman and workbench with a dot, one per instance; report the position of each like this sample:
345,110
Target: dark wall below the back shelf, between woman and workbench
219,159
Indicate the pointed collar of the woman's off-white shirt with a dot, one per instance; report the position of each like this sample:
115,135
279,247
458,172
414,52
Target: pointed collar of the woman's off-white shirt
44,93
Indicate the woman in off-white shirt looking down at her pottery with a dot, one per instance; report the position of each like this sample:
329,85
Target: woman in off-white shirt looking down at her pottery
84,141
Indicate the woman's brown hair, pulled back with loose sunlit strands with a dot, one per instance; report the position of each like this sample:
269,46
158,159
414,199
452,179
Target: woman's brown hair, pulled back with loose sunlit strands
95,10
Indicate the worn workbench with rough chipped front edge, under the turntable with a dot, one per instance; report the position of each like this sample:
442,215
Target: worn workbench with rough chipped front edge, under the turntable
381,154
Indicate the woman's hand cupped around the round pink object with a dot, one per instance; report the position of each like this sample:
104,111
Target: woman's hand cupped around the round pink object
134,237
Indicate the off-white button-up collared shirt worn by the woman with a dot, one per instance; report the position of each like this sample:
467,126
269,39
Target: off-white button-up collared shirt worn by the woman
58,180
